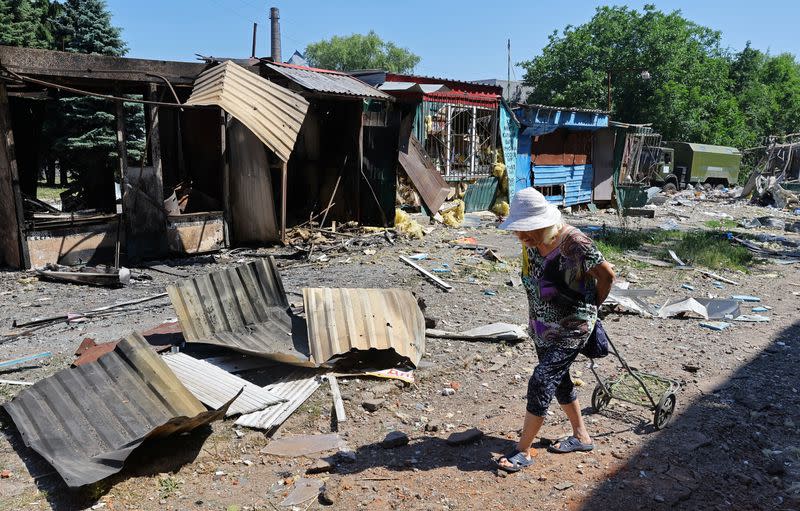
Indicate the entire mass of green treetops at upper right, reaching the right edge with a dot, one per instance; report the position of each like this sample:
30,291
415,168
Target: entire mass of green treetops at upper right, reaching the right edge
698,91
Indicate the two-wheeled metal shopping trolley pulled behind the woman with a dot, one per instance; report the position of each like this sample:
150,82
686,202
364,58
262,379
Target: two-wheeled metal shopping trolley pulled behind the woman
651,391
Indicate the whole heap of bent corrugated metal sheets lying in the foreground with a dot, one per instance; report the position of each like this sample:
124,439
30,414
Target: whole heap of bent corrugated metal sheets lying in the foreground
238,348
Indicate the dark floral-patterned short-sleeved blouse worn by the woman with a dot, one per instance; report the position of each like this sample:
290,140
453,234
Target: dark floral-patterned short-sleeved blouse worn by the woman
561,293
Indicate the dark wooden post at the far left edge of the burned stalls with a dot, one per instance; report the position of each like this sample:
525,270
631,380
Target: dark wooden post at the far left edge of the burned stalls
12,217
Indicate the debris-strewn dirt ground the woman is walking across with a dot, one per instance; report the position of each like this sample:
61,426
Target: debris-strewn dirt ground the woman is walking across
733,443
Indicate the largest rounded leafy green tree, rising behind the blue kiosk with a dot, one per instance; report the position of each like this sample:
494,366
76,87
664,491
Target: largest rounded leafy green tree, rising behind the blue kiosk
688,96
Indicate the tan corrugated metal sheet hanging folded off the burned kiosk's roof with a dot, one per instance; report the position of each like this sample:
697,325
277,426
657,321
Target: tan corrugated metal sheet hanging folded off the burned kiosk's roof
272,112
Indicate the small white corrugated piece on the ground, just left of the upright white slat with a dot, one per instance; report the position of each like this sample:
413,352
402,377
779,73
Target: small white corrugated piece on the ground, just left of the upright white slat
296,388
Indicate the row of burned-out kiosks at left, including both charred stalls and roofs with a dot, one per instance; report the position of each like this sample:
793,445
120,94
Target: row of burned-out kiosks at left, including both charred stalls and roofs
233,152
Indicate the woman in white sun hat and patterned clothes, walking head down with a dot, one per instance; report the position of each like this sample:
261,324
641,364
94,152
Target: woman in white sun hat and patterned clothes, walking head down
566,278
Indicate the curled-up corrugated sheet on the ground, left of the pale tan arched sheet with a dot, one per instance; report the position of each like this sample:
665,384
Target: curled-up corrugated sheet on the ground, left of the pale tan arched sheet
243,308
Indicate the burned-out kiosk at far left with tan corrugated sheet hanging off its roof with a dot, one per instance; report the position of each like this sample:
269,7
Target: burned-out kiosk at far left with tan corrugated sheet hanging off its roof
193,175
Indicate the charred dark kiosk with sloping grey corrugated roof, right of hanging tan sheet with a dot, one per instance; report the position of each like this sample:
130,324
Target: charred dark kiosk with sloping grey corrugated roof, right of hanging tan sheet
346,150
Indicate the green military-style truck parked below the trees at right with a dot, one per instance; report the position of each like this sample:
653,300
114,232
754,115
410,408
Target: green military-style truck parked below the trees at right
685,162
